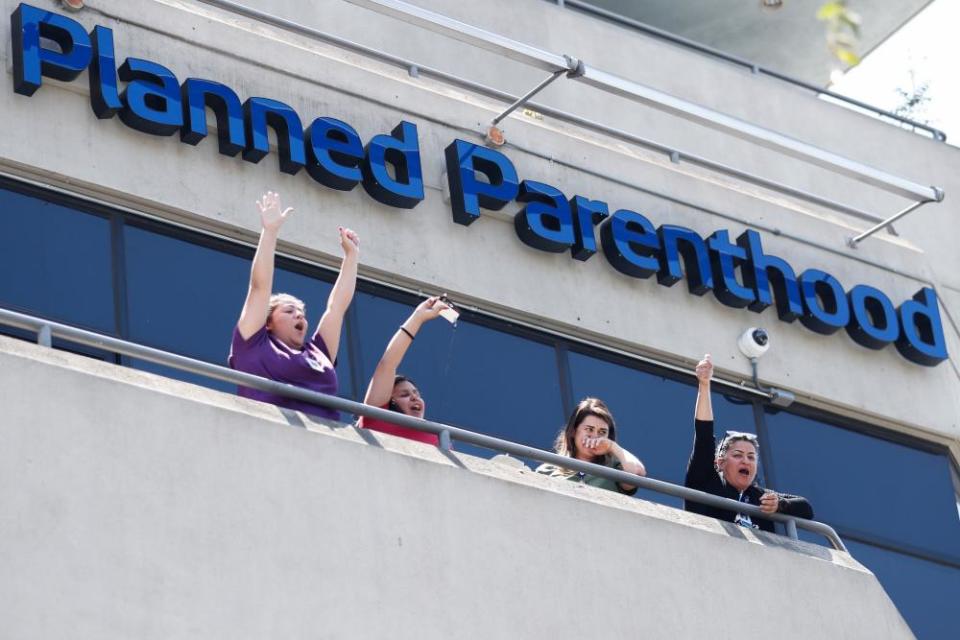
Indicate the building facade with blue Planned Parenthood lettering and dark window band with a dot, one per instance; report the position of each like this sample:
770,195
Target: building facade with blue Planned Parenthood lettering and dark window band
605,265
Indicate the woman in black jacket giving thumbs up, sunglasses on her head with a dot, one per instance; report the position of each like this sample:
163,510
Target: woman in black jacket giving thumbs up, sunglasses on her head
729,470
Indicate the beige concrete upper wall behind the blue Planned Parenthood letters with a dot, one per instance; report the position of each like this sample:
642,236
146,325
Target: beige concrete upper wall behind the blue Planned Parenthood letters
57,139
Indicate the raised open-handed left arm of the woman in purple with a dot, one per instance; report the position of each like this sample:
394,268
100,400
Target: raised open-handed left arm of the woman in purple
254,313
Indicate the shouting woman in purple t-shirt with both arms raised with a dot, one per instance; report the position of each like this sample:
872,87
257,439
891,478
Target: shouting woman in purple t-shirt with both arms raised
270,339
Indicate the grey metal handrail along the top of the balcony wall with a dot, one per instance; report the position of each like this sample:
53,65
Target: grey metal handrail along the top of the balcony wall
47,330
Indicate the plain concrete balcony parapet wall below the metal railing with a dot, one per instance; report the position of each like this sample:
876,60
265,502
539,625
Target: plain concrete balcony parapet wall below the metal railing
132,506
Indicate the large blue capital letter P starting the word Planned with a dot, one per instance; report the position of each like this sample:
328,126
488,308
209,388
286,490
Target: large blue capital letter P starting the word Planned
31,60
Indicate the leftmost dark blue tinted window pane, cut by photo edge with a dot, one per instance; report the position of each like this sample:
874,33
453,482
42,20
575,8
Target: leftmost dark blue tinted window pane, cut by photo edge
56,262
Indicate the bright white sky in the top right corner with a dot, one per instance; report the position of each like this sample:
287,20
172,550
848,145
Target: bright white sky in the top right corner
925,50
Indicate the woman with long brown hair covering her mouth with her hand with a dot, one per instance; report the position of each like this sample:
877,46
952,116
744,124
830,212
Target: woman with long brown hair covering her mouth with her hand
591,436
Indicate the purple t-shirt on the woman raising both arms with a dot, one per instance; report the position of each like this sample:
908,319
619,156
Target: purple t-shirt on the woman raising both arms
265,356
